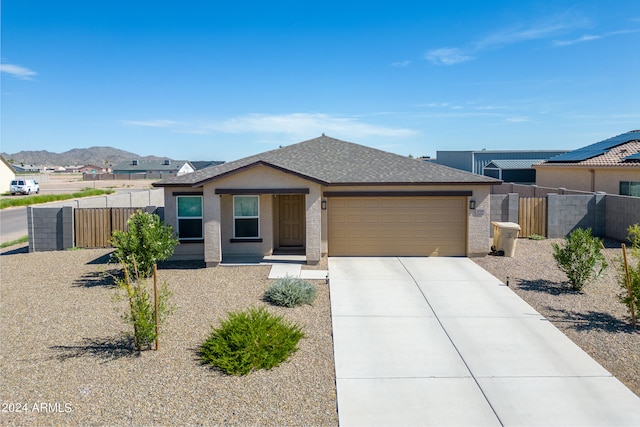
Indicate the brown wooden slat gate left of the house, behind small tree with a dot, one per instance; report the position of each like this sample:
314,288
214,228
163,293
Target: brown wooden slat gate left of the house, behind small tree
93,226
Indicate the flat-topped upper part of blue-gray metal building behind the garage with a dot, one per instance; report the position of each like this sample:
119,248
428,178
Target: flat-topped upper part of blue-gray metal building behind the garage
475,161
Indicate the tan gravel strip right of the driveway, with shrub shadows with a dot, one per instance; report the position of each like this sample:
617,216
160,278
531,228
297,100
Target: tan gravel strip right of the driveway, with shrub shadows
594,319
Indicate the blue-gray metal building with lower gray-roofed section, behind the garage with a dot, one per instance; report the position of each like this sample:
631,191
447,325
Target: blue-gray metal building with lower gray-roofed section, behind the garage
508,165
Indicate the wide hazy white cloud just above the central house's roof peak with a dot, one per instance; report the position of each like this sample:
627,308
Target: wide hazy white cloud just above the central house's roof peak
305,124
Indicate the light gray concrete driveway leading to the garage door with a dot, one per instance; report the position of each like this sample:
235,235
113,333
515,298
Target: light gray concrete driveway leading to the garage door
440,341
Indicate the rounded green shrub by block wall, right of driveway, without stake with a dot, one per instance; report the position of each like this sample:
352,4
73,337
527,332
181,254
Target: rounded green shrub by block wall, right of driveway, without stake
580,258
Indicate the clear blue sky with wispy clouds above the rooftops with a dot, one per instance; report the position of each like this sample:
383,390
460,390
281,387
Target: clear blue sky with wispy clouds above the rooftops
213,80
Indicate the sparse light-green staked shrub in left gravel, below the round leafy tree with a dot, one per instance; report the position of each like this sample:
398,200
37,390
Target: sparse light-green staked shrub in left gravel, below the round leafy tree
141,312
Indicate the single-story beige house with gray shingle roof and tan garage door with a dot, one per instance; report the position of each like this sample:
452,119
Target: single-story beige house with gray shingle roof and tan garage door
327,196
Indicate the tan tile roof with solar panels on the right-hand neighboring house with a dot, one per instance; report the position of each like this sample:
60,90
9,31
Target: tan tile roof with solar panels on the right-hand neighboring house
616,156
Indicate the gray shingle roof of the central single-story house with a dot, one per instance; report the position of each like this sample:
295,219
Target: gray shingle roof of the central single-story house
331,161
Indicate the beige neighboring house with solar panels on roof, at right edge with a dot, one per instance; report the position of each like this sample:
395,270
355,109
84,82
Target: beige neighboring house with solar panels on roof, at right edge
611,166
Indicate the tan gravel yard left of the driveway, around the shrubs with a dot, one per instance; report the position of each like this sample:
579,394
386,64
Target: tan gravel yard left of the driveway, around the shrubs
64,360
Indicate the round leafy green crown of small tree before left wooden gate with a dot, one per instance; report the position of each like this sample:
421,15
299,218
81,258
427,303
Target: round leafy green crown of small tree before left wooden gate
148,240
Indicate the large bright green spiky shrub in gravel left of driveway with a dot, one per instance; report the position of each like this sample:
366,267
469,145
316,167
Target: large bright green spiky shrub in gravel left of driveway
250,340
